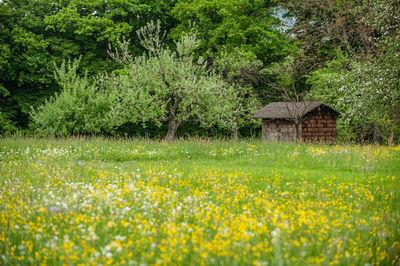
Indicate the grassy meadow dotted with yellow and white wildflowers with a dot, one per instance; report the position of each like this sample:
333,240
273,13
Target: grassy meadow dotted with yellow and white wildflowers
97,201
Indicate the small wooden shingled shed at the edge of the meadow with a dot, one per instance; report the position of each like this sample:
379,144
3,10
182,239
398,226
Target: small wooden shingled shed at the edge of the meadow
315,121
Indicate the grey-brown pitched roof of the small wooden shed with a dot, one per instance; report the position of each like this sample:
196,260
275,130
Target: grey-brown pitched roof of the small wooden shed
288,110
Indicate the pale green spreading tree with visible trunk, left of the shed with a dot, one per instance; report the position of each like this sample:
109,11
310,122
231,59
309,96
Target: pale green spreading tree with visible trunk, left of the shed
168,86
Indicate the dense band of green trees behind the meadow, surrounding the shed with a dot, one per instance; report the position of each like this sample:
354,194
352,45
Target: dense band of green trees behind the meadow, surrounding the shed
196,67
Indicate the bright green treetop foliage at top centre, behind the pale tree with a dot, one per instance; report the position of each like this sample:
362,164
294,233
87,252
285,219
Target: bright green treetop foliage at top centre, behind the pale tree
249,25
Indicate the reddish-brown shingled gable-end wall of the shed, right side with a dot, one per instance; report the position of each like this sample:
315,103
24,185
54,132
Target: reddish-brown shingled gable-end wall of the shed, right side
319,125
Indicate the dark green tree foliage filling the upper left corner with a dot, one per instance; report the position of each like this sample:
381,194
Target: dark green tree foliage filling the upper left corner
35,34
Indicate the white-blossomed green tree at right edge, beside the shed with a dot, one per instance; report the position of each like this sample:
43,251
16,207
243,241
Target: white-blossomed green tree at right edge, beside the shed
366,93
